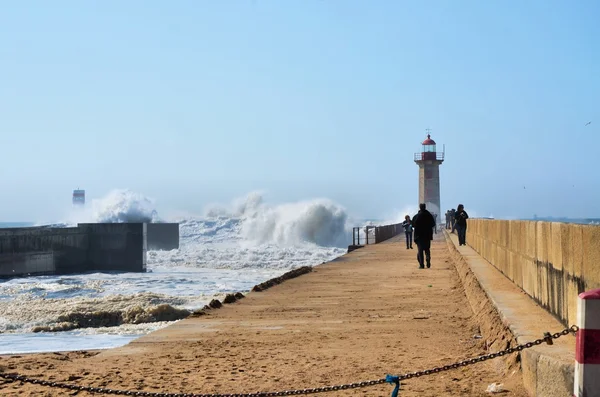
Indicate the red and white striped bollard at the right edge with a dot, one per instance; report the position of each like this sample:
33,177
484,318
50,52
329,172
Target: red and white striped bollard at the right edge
587,353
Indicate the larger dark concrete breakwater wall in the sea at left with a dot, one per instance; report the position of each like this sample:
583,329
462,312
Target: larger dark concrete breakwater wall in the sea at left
88,247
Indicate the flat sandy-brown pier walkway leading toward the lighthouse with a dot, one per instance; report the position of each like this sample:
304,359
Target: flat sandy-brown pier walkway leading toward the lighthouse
367,314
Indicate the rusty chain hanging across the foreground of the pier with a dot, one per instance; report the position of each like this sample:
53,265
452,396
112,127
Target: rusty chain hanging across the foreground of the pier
548,338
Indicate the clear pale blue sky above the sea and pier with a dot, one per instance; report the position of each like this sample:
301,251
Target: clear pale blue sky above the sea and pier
194,102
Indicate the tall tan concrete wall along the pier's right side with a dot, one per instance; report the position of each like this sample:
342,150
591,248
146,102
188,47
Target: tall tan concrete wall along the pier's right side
552,262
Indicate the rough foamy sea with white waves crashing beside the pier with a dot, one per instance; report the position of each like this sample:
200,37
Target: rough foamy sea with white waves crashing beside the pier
227,249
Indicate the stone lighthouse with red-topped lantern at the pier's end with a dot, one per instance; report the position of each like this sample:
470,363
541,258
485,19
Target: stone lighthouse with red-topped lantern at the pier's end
429,175
